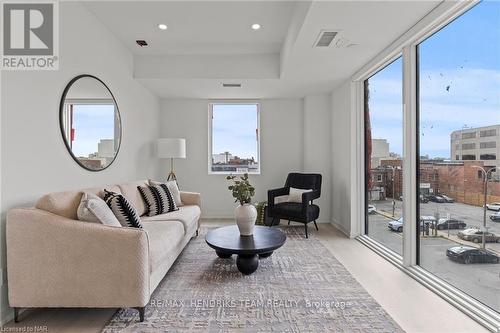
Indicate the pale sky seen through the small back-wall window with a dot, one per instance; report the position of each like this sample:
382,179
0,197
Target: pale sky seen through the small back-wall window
234,130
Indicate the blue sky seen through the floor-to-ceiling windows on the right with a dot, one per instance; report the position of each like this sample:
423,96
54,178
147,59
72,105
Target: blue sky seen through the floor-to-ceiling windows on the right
459,72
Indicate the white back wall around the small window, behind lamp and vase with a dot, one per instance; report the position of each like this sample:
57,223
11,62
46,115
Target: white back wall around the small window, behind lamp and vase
281,150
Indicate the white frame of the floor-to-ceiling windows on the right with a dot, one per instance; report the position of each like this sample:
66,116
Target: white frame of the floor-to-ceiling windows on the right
438,18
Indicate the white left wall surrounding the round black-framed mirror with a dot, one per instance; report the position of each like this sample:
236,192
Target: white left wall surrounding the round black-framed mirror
34,158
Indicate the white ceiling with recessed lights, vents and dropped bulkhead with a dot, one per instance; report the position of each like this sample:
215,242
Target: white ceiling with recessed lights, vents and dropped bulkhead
211,42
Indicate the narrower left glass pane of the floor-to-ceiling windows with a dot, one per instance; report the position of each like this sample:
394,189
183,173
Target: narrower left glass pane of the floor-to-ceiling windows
384,139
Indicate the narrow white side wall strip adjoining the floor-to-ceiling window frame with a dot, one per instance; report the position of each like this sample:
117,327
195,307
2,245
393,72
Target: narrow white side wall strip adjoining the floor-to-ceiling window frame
341,157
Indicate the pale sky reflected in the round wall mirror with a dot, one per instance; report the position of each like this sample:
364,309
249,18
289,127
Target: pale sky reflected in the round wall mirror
92,123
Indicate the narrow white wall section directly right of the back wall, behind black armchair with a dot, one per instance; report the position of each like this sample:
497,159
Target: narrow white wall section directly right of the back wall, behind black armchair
317,147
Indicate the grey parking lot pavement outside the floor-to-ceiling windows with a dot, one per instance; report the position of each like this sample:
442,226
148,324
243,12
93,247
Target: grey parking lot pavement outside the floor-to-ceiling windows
481,281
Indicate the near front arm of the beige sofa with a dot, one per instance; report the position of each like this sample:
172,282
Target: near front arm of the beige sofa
53,261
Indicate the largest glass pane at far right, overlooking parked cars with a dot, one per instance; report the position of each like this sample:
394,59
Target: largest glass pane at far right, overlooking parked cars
459,111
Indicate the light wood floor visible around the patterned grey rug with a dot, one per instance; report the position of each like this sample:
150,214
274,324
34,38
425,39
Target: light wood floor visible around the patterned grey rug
413,307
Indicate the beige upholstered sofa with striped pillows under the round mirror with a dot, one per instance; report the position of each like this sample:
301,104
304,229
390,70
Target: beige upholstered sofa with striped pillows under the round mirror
54,260
